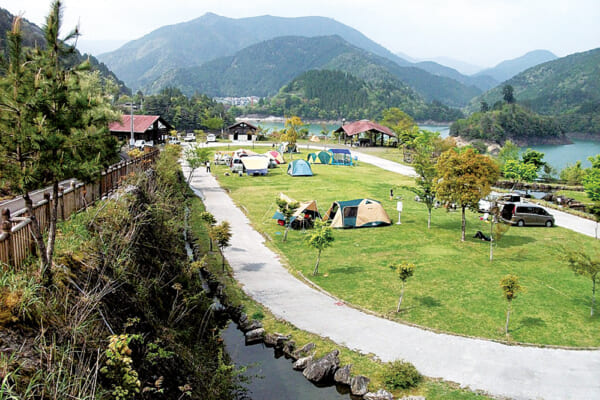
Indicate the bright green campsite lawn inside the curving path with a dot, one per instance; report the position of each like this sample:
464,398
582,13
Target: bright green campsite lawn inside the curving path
455,287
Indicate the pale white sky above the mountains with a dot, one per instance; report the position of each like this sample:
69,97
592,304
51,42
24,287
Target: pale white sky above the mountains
478,32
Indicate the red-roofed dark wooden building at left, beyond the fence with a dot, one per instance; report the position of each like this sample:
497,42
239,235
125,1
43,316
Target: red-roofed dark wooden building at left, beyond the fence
145,127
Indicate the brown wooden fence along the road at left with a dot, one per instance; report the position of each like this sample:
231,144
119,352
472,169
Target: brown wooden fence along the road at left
16,240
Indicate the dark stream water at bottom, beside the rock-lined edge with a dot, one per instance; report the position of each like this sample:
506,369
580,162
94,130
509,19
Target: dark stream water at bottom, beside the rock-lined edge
273,377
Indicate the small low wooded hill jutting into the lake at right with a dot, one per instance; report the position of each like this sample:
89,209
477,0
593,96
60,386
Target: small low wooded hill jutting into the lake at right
510,121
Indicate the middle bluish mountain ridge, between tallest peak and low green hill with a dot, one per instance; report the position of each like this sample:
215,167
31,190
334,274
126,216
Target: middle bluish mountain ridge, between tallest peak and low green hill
263,68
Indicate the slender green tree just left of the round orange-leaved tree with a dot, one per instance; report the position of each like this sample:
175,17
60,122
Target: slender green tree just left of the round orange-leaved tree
424,163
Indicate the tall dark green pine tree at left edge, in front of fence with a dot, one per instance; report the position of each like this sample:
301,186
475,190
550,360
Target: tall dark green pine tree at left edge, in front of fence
69,112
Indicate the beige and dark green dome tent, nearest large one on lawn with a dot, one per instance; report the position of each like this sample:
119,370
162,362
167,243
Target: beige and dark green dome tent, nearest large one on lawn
359,213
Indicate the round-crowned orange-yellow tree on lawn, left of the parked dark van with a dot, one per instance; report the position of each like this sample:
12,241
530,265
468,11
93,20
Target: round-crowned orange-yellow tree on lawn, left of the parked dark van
464,178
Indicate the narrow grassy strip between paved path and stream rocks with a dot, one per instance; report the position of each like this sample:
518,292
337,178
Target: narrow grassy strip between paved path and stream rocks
366,365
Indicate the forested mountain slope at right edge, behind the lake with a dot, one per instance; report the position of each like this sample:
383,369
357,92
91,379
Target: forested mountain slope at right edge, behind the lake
568,87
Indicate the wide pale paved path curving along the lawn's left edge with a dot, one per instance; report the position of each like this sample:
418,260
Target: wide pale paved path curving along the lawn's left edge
511,371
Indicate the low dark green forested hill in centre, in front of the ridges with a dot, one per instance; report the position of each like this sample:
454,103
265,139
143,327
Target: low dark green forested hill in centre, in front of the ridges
331,94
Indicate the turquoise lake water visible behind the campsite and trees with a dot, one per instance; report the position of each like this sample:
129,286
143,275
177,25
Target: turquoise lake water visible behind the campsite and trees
558,156
